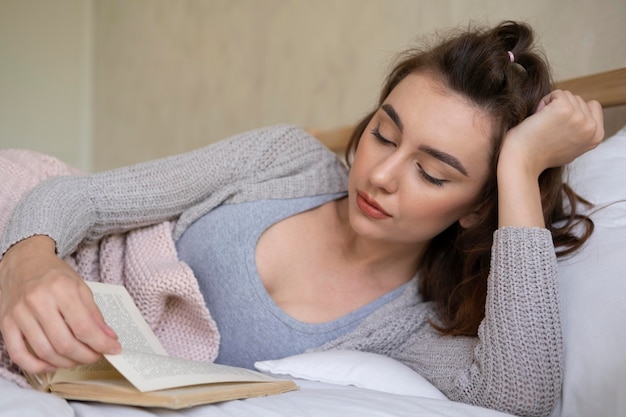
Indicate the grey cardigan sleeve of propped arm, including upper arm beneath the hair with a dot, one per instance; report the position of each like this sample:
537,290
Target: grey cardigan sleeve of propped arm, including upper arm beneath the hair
515,363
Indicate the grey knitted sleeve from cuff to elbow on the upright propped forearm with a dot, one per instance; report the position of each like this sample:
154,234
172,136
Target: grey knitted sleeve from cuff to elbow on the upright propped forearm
516,365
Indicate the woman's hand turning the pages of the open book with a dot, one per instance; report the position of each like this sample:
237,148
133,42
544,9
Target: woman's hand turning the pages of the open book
48,317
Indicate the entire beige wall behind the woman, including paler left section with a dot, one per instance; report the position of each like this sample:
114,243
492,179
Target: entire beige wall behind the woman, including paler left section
171,75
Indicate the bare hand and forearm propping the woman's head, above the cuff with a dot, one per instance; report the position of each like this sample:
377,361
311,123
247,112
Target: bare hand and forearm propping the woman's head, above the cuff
563,128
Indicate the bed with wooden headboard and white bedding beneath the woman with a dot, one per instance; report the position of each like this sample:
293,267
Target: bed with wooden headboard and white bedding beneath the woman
593,290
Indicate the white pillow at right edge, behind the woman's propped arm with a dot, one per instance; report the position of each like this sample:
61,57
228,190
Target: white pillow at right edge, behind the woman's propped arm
593,291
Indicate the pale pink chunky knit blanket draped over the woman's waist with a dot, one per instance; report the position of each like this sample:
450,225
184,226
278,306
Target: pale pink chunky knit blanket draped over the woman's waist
143,260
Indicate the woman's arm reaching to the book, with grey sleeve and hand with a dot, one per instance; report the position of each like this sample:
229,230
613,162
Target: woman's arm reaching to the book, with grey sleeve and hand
47,316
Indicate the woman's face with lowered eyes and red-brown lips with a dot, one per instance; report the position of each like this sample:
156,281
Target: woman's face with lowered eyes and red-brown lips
420,164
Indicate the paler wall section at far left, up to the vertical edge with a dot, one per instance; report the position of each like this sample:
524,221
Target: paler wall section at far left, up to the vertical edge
45,78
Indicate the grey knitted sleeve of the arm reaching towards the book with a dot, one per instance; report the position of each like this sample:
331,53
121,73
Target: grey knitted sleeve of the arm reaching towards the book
71,209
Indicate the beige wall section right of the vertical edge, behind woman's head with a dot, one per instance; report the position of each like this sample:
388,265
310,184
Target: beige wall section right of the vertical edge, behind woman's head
175,75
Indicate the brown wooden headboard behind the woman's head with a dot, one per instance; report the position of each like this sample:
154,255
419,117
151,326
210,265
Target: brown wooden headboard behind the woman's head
609,88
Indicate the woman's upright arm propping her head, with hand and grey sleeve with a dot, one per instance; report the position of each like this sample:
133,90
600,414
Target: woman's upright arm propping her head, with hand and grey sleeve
517,365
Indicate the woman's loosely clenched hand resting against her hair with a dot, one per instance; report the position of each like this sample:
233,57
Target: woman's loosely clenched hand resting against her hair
563,128
